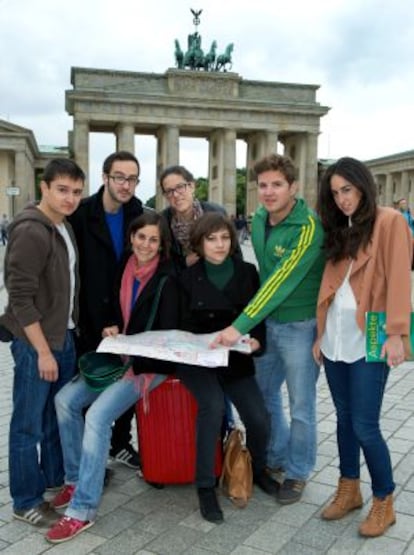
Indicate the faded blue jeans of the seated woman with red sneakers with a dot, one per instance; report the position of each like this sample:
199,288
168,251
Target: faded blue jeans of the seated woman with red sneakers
86,441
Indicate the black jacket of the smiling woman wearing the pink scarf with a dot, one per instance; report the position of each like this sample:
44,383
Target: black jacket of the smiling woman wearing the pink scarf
166,316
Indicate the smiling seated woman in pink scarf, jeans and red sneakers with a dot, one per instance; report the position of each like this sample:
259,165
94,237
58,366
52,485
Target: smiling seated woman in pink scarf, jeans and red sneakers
85,443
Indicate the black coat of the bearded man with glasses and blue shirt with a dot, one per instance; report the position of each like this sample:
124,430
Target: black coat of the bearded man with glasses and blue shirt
97,265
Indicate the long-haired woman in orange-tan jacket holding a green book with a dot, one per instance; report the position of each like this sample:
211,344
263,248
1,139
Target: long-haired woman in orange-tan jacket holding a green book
368,251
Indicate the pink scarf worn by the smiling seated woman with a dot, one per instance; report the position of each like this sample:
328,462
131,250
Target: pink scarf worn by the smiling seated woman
143,274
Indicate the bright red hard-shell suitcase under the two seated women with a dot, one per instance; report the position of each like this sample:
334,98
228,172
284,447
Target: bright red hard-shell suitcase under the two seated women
166,435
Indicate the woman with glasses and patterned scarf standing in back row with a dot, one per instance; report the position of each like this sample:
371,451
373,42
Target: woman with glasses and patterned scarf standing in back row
178,187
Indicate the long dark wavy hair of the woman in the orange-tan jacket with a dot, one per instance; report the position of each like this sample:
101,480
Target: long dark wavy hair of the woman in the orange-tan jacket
341,239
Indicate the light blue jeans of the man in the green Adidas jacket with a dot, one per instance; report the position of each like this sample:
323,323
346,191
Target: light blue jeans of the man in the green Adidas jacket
288,358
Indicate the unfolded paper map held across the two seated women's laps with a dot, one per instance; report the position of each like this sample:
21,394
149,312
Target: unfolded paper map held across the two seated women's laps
173,345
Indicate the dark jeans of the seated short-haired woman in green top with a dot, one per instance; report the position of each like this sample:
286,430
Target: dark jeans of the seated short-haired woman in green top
209,392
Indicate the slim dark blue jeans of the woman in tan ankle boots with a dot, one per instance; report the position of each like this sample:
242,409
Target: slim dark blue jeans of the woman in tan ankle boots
357,391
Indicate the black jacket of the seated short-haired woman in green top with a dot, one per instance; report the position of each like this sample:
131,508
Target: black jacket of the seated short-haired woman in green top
206,309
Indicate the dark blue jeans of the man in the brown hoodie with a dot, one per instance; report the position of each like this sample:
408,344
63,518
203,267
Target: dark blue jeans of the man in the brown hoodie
33,424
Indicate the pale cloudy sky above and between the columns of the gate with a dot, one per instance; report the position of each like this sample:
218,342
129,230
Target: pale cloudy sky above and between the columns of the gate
360,52
